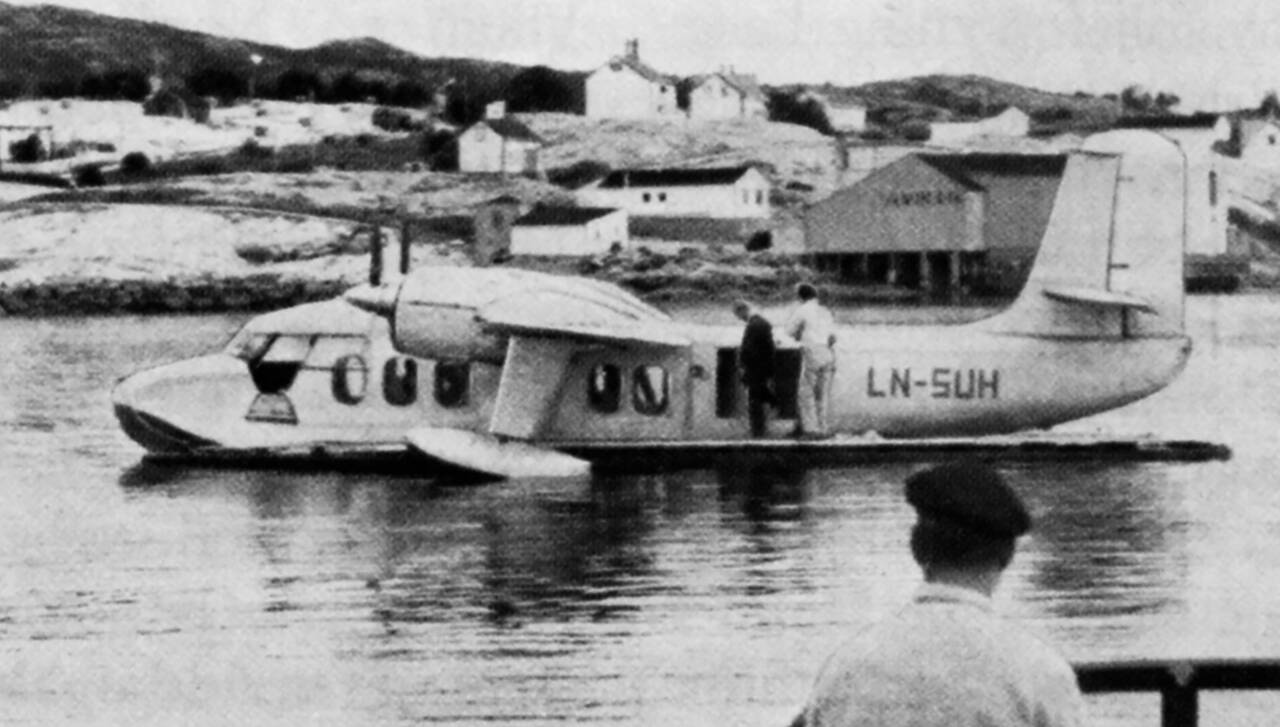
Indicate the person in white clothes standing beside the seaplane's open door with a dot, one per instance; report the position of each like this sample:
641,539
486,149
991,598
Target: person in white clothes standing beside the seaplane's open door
815,328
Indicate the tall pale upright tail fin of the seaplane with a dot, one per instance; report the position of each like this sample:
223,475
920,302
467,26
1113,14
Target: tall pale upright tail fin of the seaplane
1112,260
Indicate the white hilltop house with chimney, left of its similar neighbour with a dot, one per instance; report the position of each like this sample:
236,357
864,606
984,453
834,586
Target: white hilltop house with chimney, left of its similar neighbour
629,89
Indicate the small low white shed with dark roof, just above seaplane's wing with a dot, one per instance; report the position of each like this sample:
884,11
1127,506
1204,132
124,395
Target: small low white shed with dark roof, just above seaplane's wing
569,232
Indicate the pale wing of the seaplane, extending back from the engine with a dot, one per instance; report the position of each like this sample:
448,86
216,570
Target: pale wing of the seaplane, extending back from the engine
552,314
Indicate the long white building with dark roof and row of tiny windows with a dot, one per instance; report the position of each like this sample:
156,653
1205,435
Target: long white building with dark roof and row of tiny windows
737,193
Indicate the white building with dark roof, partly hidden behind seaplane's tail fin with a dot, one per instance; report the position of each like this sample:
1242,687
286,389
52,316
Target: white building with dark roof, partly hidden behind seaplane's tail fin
1199,136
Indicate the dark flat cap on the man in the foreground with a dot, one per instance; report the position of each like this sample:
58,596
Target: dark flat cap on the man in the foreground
971,495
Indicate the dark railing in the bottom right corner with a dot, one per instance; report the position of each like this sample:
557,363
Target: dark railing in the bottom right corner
1180,683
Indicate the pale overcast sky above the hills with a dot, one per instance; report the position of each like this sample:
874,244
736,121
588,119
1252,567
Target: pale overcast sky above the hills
1212,54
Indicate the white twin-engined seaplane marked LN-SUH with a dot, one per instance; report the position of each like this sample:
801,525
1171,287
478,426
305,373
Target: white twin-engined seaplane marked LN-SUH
513,373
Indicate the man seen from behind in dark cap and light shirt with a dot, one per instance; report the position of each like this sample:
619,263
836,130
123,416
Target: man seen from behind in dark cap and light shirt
947,659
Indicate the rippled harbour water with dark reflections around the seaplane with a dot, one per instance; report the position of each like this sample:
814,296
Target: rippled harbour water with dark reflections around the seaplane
140,593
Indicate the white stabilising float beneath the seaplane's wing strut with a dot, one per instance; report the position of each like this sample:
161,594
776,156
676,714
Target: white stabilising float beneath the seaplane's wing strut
488,455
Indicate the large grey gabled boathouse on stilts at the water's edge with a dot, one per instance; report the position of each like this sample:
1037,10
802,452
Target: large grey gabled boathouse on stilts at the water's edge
938,220
